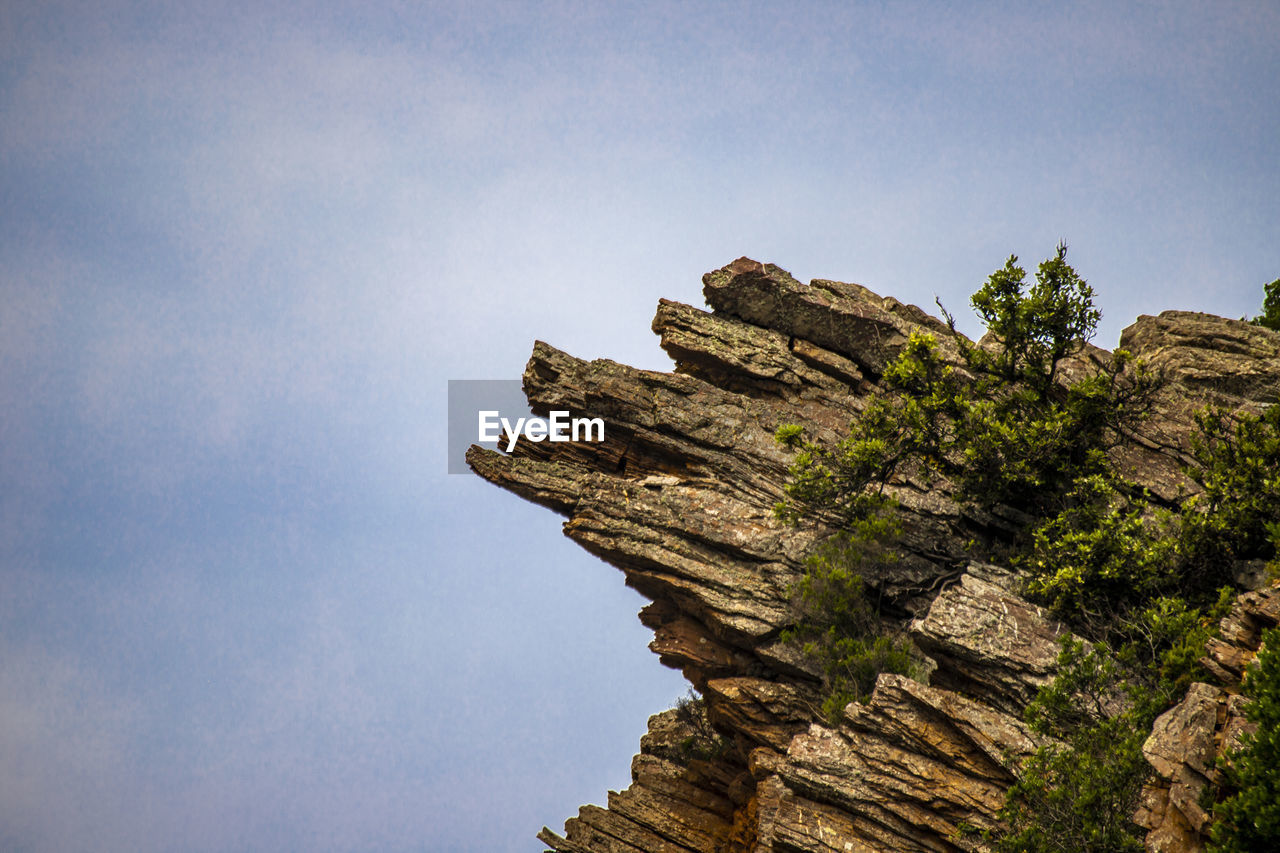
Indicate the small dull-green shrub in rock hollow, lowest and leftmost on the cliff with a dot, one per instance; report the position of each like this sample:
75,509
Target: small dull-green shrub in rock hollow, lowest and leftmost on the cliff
839,626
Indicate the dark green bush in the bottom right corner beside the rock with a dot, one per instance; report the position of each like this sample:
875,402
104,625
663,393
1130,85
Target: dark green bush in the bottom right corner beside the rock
1250,819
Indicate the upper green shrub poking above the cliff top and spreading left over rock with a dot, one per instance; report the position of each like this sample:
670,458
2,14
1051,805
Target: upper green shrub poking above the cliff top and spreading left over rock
1000,427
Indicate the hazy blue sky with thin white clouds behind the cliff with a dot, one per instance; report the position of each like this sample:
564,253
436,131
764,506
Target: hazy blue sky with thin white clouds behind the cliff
244,248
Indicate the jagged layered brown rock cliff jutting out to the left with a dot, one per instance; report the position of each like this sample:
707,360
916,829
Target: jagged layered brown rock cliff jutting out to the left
680,499
